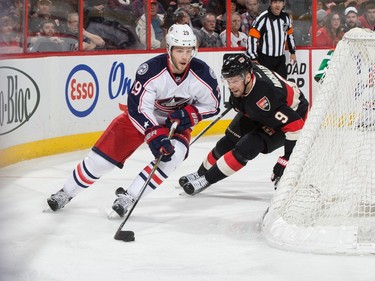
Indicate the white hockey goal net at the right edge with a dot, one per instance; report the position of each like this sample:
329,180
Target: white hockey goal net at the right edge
325,201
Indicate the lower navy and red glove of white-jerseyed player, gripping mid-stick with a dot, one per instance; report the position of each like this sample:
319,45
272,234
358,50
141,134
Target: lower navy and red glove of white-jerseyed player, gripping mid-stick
157,139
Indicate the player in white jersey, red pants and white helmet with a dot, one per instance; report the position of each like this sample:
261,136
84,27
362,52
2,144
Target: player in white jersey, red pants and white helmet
170,87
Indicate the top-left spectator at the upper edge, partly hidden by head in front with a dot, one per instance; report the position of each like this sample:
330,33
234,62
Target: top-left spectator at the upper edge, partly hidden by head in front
43,13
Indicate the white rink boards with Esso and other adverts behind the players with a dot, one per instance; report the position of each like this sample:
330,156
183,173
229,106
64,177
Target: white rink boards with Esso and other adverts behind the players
51,97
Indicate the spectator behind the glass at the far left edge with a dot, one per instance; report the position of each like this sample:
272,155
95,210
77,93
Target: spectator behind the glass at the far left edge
10,42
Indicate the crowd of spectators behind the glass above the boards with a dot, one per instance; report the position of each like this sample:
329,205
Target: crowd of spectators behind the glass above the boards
123,24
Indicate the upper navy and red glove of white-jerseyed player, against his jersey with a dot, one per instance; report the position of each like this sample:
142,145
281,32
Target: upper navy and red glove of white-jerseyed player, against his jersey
187,117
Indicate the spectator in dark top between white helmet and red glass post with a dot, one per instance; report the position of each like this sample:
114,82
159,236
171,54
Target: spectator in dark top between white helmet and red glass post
207,37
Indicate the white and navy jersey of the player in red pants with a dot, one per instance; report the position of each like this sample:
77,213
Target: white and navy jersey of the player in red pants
156,91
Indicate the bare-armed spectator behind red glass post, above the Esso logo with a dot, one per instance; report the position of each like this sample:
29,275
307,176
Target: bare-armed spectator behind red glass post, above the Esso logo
90,41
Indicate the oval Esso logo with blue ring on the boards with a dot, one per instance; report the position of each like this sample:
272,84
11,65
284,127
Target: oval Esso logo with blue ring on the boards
81,90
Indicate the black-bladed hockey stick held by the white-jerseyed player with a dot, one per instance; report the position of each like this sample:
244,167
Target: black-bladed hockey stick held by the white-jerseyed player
127,235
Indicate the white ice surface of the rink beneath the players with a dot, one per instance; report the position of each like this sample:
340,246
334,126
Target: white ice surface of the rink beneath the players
214,236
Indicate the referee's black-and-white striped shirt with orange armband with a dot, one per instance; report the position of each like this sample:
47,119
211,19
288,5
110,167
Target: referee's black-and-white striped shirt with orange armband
268,35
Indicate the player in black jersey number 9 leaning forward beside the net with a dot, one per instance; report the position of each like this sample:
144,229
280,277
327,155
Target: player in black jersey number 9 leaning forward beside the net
271,113
